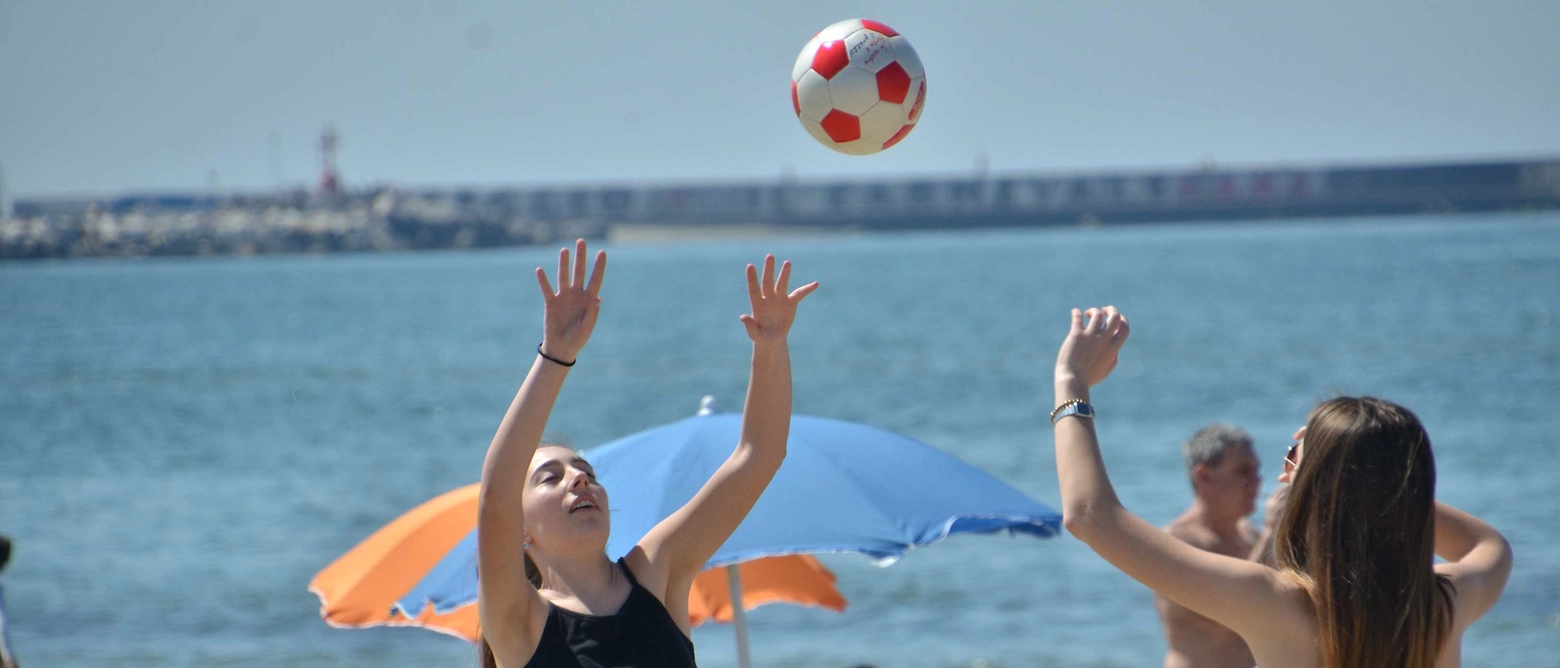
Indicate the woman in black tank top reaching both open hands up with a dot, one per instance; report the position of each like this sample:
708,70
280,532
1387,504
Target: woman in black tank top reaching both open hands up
547,592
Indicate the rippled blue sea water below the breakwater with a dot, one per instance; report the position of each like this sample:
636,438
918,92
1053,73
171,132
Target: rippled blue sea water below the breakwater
185,442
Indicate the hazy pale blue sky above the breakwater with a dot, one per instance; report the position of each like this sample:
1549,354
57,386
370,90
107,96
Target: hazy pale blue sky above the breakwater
102,98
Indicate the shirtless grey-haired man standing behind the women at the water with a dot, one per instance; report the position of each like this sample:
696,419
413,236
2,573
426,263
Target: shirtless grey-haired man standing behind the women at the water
1225,480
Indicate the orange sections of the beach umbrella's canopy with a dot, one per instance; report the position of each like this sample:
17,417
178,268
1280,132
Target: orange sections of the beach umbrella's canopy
361,588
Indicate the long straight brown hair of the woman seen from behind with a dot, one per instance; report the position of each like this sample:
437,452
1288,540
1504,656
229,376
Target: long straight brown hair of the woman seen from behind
1360,531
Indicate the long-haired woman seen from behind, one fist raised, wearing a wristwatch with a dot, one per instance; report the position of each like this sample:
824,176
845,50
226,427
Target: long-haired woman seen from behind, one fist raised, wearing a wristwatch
1355,581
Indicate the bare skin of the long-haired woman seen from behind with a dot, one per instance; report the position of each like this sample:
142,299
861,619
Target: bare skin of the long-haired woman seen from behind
1269,608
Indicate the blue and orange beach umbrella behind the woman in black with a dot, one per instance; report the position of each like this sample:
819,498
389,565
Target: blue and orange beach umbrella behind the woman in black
845,488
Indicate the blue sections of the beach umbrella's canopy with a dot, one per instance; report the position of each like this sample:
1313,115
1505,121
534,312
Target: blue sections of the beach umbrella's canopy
845,488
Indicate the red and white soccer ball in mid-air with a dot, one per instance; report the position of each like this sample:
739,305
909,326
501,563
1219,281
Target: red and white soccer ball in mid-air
859,87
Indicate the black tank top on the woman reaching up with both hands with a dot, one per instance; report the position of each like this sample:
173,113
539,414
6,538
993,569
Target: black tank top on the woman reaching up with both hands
640,634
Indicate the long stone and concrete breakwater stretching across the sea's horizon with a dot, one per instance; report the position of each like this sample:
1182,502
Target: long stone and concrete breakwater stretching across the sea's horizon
391,219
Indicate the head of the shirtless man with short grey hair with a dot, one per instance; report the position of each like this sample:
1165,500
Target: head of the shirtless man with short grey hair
1224,469
